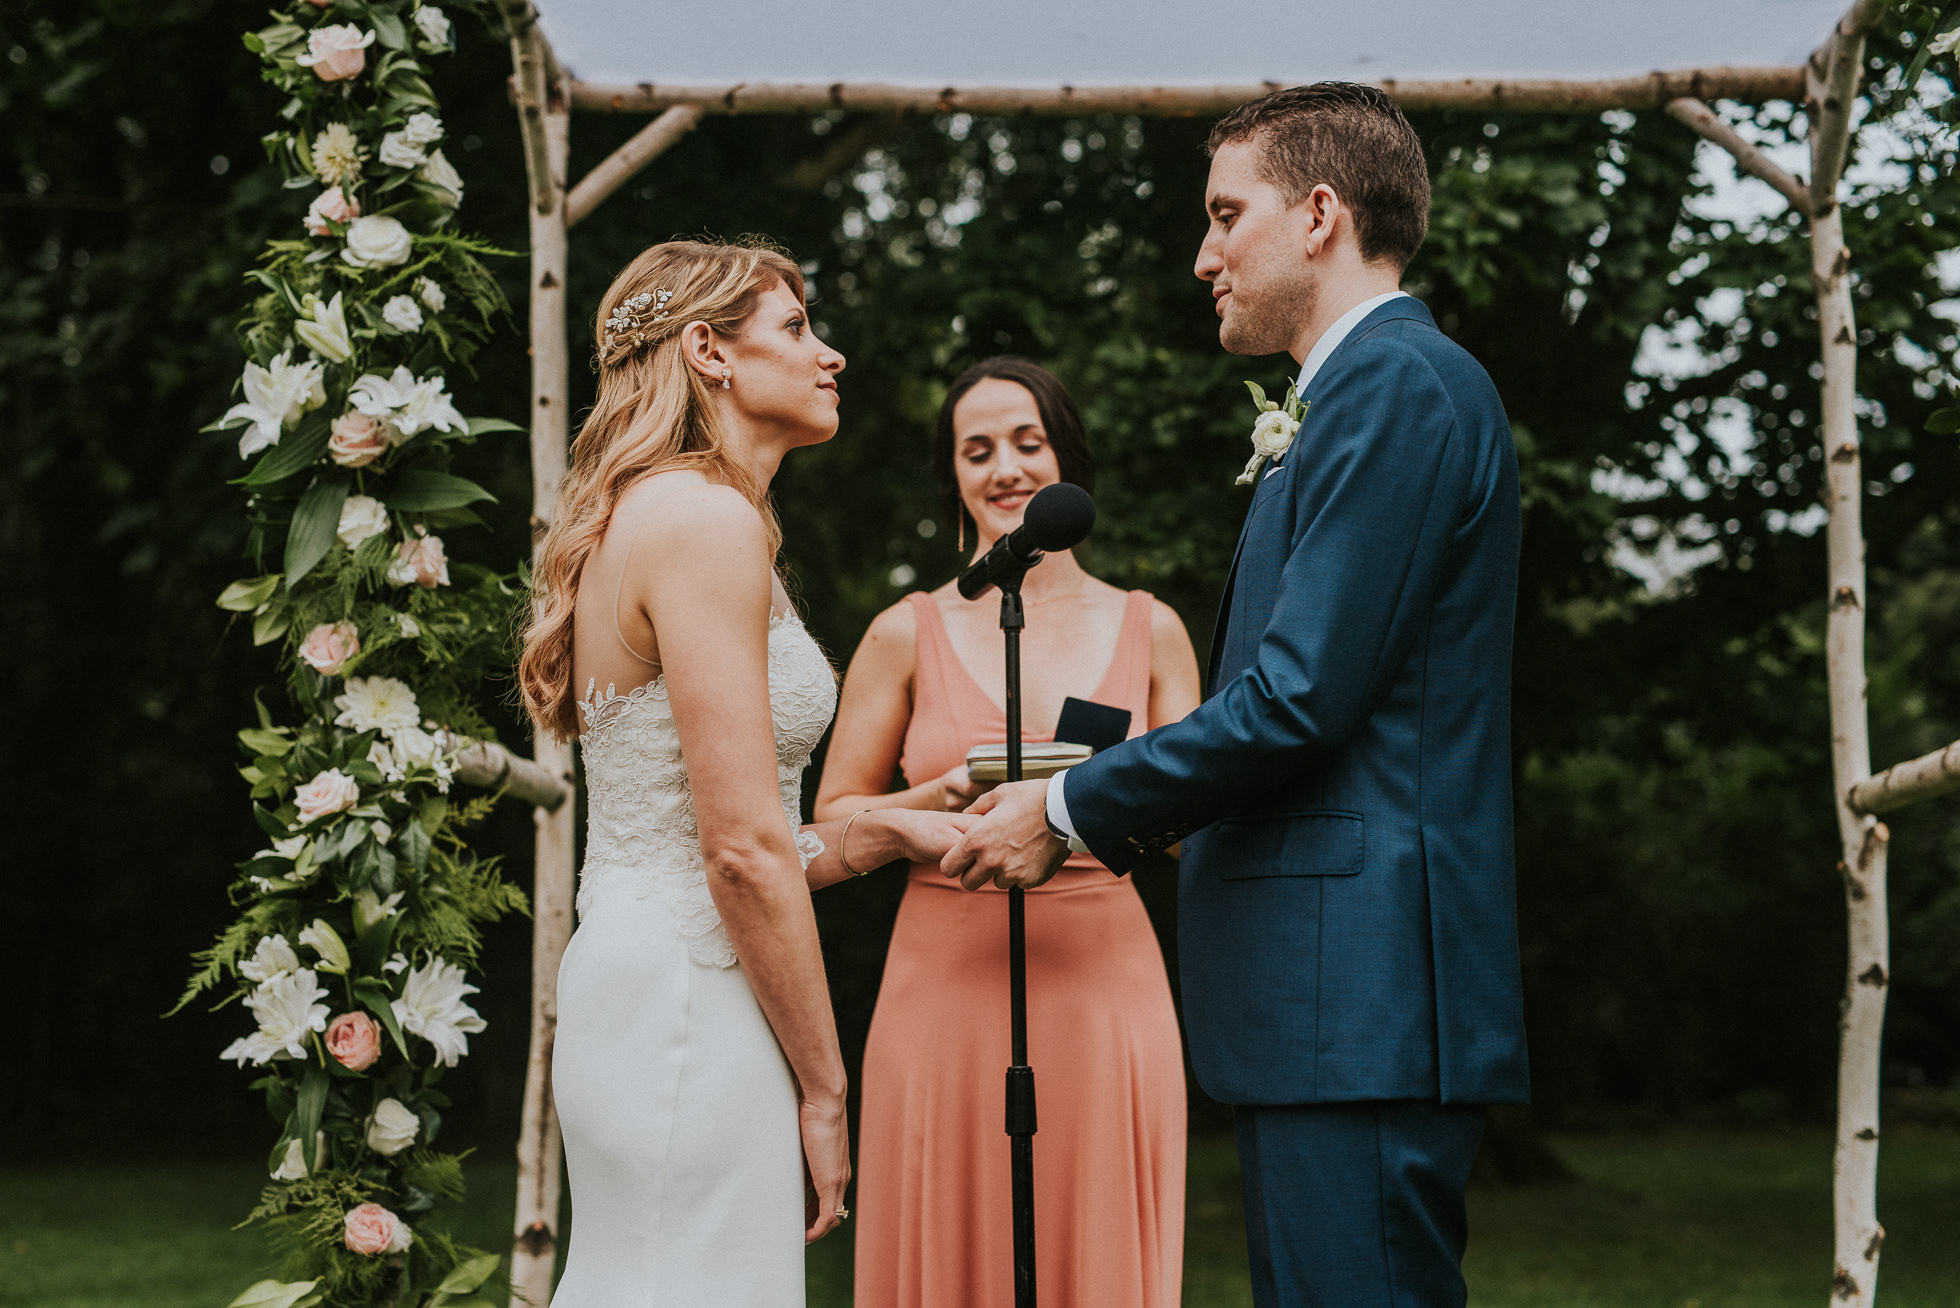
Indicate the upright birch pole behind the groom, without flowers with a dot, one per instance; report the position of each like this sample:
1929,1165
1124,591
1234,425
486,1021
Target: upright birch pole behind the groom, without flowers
1834,89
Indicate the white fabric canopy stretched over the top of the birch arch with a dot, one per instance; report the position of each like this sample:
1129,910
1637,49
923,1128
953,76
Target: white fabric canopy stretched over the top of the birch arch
1171,42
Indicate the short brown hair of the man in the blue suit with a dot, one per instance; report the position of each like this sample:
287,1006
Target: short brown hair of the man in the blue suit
1351,138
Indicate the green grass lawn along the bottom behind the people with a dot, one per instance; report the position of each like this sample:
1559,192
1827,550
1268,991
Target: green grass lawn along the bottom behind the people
1663,1221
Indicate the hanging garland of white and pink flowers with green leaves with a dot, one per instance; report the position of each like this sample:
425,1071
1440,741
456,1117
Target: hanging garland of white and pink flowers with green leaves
360,917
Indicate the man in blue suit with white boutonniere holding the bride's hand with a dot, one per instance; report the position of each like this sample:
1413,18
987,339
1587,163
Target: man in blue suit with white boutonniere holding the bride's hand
1347,909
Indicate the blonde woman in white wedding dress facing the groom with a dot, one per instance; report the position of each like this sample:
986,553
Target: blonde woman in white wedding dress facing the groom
697,1070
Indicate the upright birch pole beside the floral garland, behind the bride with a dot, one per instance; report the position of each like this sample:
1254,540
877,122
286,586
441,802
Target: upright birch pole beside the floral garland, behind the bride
546,121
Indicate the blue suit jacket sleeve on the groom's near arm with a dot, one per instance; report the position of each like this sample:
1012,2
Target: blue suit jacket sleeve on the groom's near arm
1377,481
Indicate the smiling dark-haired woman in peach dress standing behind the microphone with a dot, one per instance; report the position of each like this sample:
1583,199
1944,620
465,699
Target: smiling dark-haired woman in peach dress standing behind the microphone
934,1225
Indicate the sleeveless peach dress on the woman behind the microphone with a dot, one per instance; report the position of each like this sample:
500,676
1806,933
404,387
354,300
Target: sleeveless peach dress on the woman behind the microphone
934,1195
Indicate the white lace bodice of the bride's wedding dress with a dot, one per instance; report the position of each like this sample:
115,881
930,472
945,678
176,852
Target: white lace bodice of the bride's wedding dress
642,834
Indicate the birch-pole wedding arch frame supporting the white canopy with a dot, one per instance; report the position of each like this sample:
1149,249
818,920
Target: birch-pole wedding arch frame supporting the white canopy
1828,87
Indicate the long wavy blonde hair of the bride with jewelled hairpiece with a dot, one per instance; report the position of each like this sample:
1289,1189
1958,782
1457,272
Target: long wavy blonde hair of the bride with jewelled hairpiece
654,415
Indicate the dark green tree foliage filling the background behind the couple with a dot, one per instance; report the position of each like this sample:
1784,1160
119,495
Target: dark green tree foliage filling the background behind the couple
1681,915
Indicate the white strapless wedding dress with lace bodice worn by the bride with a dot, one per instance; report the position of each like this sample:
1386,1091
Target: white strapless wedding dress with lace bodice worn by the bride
679,1111
